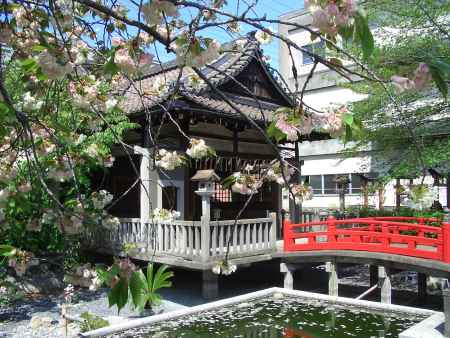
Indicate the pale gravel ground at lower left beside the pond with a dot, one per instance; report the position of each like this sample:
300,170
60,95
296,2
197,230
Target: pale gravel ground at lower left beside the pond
40,317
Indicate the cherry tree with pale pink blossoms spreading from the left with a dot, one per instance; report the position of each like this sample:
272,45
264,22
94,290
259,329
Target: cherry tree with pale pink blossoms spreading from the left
62,61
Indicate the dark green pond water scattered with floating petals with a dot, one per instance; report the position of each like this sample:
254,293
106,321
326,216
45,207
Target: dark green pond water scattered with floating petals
282,316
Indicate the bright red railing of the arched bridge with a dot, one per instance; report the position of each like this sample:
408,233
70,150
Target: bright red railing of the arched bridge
403,236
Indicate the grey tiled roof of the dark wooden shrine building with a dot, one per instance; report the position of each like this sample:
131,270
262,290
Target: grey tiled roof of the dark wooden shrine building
138,95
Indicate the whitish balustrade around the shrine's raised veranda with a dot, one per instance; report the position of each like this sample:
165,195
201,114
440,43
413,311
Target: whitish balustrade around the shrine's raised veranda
188,239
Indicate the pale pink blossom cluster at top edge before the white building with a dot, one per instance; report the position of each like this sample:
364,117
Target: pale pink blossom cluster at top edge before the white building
329,16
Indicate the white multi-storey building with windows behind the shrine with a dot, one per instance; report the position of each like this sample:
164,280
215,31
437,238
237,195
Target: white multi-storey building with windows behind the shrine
324,159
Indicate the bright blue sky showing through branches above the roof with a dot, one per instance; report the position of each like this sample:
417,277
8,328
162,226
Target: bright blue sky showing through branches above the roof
271,8
